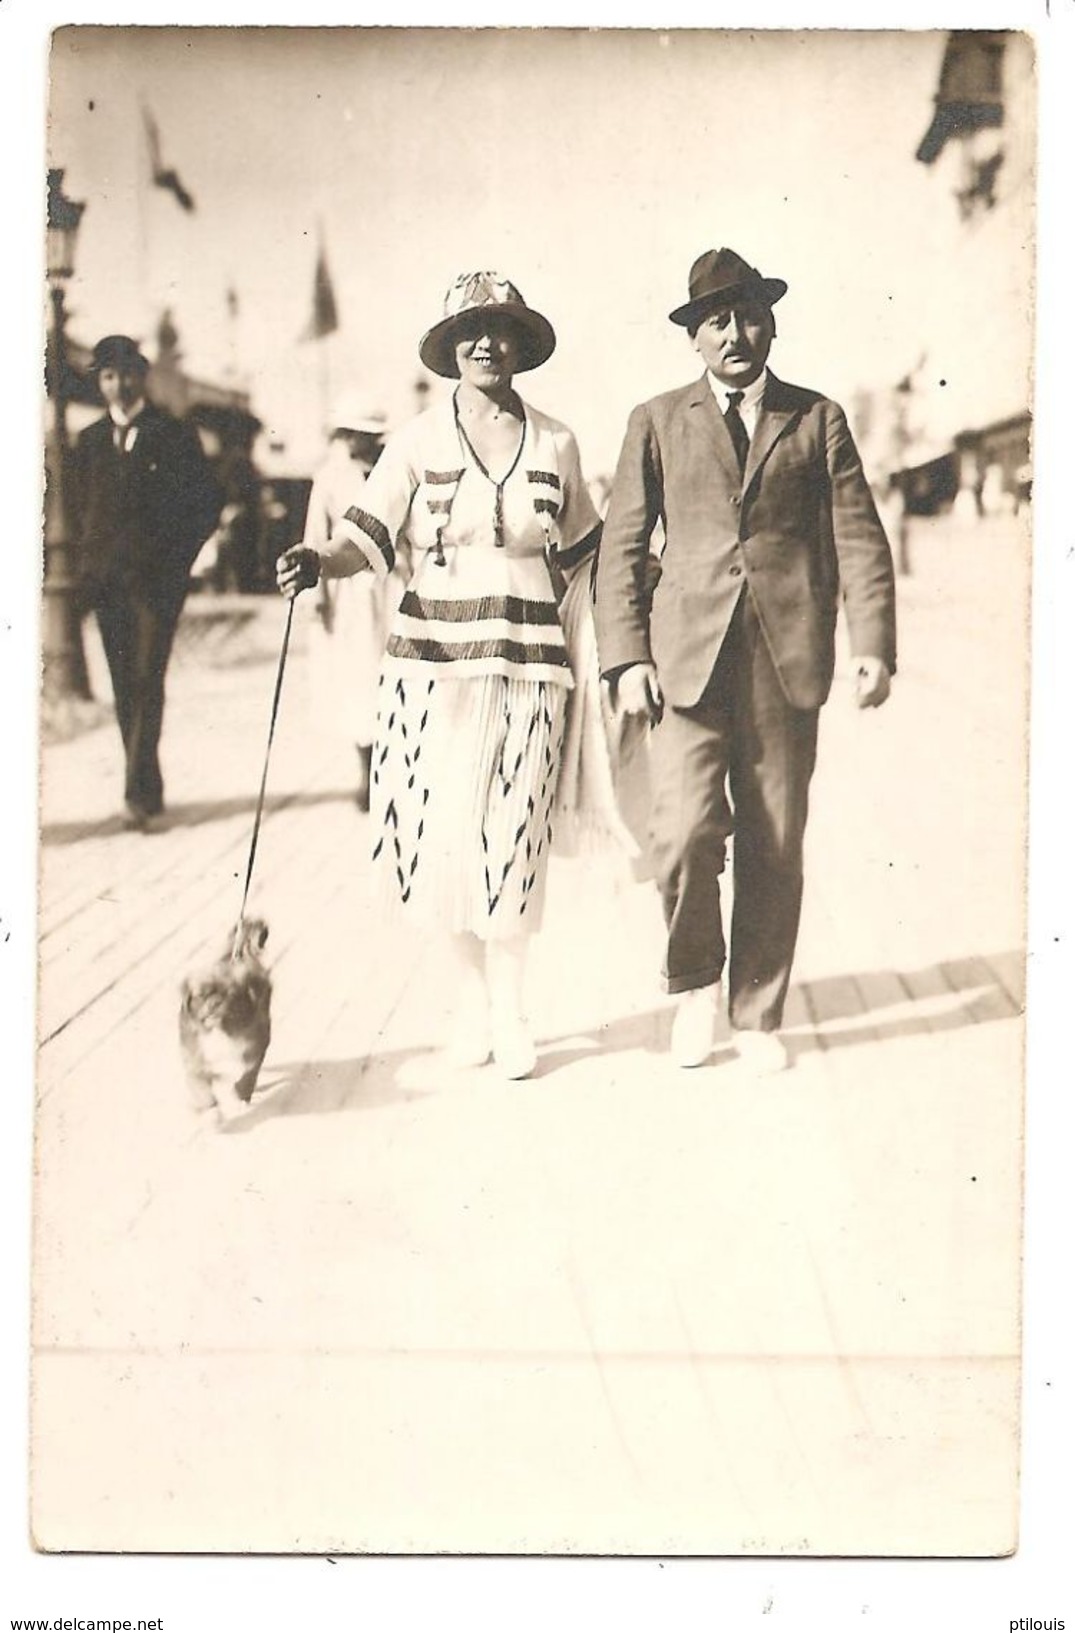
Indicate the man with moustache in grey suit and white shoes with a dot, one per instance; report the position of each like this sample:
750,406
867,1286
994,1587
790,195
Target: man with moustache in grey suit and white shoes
769,522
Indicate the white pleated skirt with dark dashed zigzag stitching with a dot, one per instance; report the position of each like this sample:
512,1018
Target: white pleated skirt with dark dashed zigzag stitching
465,776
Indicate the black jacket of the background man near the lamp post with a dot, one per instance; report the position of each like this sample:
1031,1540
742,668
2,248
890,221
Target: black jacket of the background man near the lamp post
141,517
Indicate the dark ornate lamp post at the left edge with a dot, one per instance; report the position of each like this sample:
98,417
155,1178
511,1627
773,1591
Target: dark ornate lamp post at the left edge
65,659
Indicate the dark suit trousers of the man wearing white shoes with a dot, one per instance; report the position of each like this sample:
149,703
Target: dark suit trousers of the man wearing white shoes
738,763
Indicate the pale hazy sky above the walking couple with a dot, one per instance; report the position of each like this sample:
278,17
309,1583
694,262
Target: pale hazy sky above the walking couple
587,167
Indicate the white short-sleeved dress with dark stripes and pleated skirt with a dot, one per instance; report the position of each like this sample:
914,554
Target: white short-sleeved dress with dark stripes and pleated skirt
476,675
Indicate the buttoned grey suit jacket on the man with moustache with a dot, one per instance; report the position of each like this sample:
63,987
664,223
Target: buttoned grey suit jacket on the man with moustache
800,528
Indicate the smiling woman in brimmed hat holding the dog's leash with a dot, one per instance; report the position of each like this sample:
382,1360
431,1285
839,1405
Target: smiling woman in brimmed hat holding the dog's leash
489,501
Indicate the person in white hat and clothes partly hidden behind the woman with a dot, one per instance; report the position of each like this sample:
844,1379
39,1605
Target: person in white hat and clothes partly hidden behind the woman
352,615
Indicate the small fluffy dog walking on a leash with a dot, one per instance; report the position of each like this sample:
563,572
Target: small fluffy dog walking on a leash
225,1025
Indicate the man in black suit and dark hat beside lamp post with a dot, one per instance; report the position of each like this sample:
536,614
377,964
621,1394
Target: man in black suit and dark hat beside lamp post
145,502
